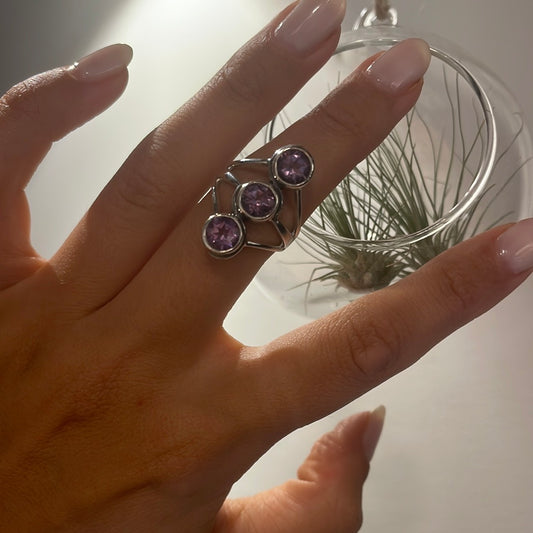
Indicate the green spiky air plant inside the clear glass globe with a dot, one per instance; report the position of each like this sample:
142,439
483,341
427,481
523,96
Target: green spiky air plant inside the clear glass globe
390,194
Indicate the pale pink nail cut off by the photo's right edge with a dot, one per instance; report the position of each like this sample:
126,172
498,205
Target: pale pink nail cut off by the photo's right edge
515,246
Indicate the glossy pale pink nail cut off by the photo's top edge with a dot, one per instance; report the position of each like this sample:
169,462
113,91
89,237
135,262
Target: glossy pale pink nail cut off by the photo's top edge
310,23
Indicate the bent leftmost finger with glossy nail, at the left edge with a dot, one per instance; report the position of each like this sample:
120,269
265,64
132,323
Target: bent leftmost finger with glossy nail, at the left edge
33,115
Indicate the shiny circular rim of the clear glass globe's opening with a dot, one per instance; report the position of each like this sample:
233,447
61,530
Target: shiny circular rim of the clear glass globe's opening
370,37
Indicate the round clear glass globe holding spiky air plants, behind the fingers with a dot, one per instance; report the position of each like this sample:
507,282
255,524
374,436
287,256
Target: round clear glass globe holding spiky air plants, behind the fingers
459,164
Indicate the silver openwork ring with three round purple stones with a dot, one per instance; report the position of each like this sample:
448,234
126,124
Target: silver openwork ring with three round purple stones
225,232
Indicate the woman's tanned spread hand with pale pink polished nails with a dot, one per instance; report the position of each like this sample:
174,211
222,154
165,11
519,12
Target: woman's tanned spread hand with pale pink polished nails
124,406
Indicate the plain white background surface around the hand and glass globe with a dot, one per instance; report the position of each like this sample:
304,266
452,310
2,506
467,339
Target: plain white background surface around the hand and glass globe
457,450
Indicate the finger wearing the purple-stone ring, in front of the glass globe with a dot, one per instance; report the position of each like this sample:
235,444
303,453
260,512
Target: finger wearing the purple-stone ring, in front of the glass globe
365,110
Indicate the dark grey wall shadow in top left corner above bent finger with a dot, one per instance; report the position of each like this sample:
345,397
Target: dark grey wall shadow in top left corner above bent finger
37,36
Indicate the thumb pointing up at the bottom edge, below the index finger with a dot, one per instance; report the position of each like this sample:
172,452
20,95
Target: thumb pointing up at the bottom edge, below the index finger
327,496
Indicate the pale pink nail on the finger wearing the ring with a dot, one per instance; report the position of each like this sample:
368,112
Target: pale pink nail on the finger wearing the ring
401,66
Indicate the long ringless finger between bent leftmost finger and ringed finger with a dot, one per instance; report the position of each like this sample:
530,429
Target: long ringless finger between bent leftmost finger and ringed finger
171,168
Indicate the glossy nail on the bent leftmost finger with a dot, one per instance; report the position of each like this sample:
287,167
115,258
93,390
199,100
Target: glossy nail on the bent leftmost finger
102,64
